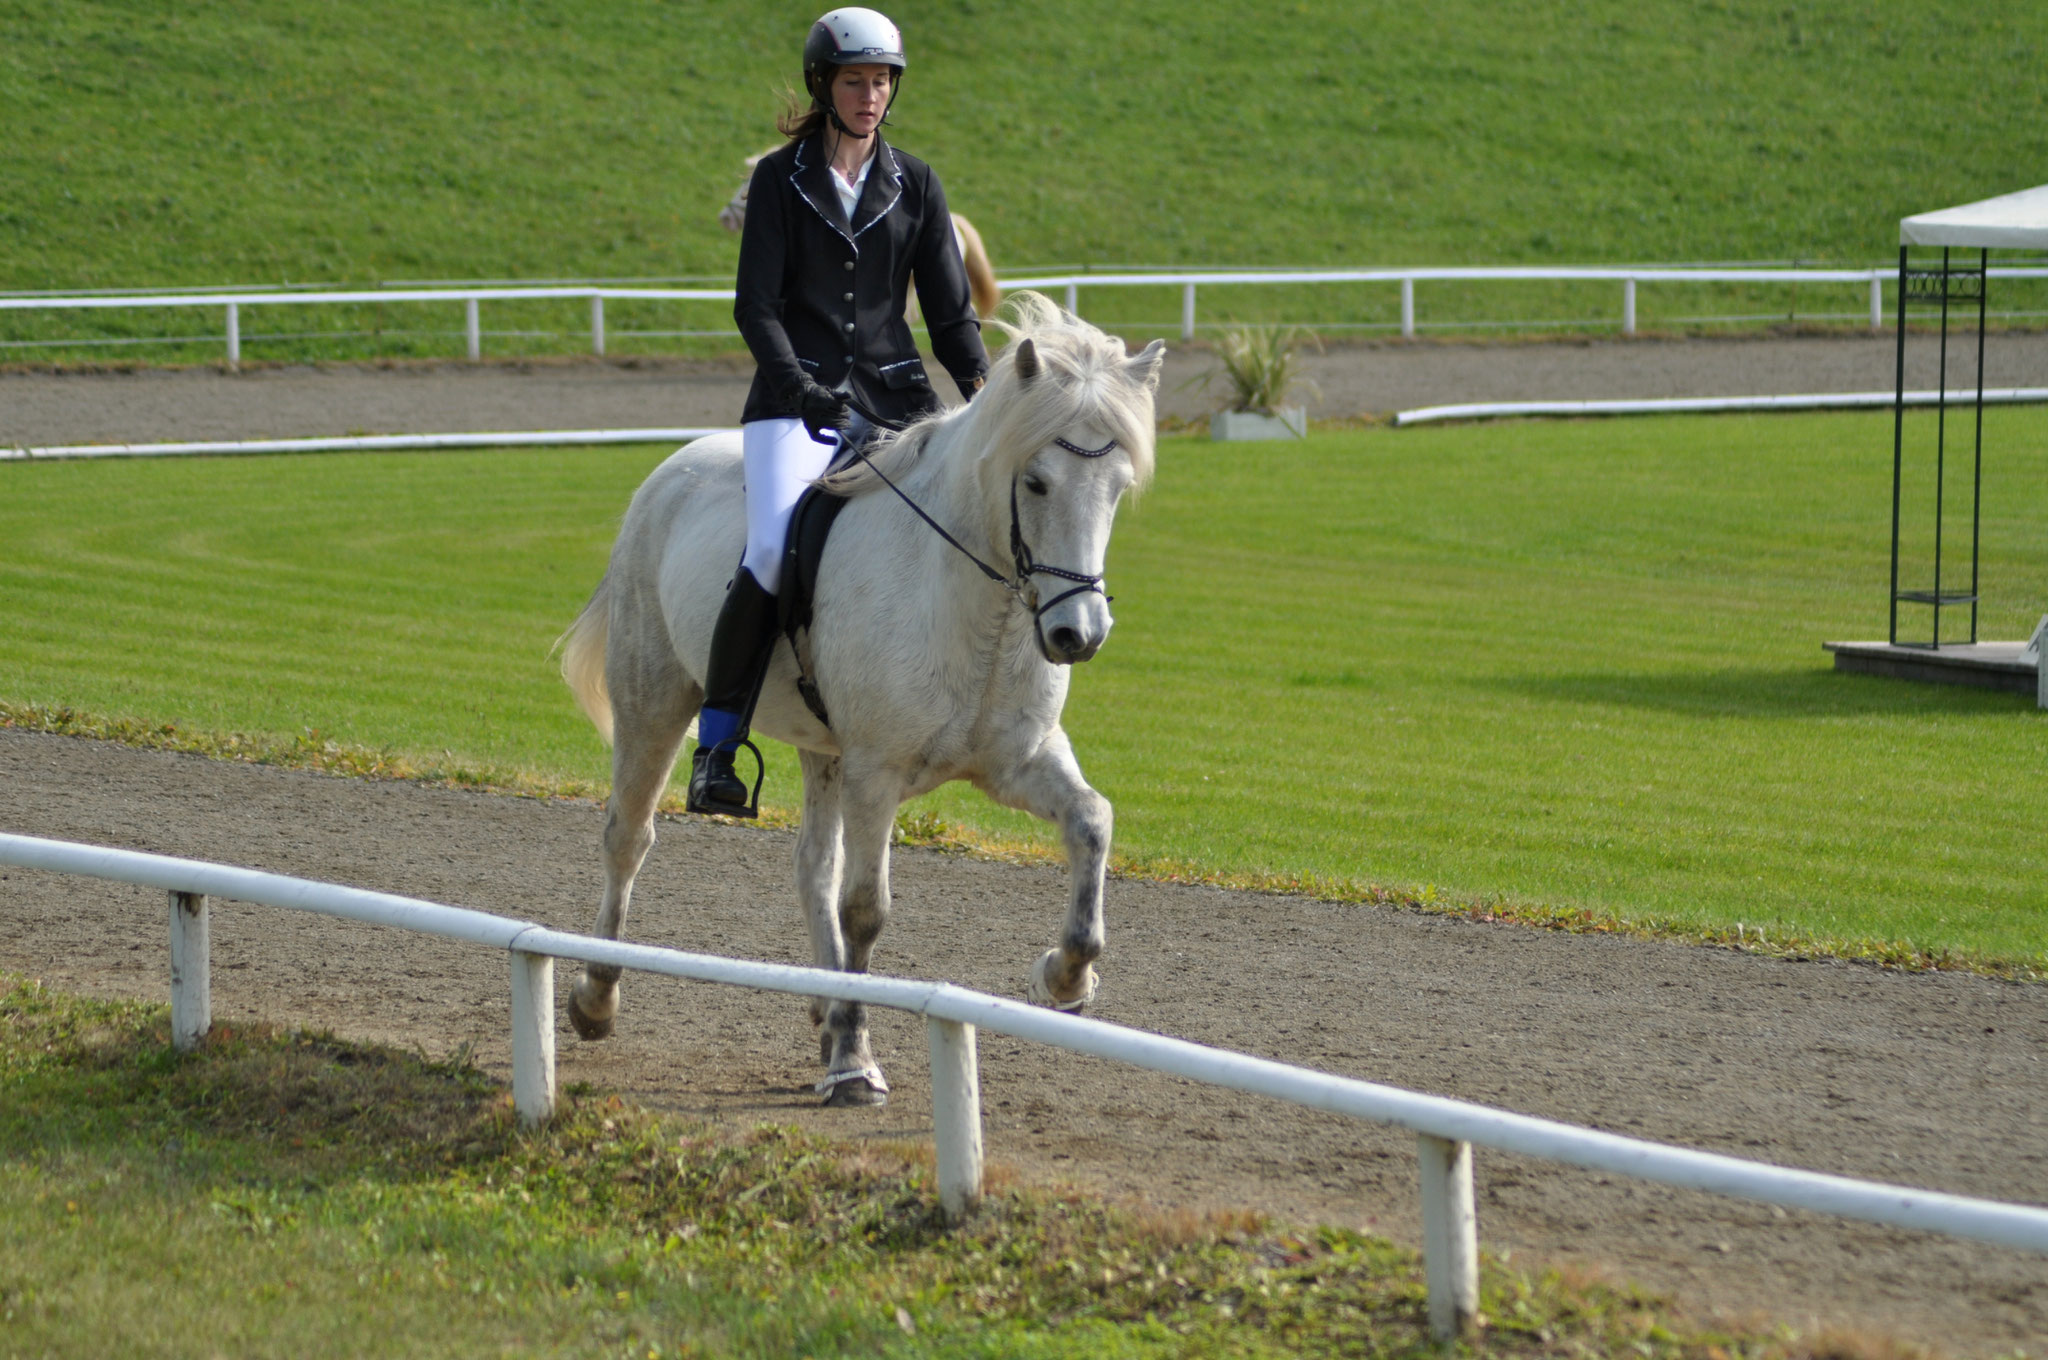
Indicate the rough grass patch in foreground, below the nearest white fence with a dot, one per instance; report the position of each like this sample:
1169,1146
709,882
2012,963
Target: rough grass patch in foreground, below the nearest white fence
288,1195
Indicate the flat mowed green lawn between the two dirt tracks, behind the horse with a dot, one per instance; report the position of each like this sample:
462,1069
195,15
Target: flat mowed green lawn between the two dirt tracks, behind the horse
1570,667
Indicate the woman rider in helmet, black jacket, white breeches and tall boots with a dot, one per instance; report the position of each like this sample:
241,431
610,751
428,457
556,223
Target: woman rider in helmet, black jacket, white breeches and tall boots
837,224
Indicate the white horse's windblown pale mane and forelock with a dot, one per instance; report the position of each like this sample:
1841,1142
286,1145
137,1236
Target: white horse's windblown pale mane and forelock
1084,378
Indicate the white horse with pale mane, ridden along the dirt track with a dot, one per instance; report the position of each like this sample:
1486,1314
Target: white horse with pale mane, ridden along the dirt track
929,669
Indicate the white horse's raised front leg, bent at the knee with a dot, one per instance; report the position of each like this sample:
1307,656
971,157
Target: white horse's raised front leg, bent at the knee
1050,785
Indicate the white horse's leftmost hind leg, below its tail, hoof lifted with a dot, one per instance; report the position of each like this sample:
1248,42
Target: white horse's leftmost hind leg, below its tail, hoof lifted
648,724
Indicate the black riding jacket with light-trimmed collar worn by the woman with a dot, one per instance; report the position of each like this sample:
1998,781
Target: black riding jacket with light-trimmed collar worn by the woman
822,296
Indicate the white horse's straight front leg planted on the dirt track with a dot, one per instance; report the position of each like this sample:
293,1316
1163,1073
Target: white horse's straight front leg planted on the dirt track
867,806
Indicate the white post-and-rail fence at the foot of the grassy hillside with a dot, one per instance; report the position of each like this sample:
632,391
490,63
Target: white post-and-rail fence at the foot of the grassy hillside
1068,286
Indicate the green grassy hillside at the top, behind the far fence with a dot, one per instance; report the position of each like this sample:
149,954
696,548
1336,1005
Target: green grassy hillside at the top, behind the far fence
212,142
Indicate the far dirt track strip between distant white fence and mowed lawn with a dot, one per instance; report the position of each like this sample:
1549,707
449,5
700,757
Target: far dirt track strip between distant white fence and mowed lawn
581,394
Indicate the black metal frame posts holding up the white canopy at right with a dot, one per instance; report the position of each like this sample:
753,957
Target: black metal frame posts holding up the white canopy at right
1930,288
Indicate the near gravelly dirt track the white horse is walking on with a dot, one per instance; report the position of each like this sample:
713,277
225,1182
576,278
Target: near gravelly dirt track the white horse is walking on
1934,1080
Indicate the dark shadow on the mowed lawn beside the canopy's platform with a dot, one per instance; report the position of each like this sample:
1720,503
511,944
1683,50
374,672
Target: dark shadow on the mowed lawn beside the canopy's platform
1764,691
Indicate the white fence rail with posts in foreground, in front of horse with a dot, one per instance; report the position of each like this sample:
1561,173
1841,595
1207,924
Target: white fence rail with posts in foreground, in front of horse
1447,1130
